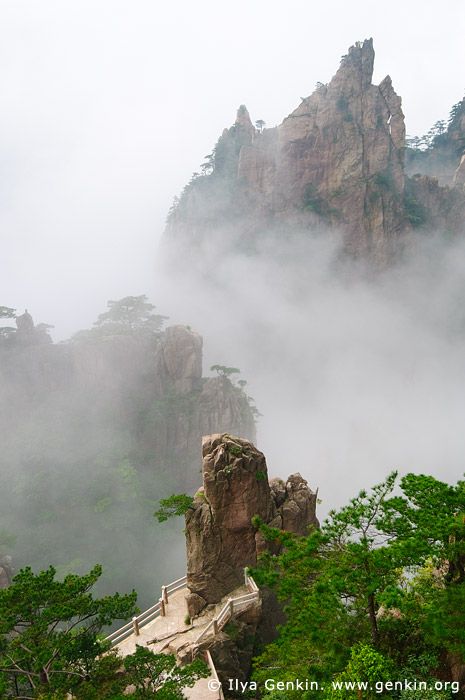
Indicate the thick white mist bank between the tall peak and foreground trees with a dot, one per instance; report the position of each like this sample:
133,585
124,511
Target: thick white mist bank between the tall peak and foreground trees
356,373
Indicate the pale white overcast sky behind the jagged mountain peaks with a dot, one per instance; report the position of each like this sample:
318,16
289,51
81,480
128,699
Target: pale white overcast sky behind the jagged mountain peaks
109,106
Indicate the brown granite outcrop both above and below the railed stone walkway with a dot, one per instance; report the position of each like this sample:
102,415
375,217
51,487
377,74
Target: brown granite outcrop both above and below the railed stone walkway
221,540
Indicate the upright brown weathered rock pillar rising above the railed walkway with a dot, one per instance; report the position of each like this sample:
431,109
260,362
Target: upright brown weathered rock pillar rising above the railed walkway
220,537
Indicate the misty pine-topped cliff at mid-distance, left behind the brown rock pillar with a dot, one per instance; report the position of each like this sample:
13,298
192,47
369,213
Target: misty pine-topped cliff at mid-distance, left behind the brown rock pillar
94,433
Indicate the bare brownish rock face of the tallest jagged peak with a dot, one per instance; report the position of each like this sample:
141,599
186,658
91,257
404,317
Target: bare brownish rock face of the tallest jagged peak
340,155
